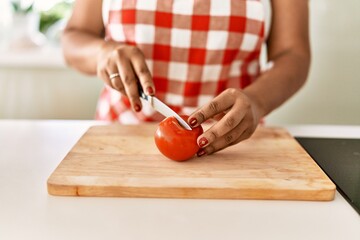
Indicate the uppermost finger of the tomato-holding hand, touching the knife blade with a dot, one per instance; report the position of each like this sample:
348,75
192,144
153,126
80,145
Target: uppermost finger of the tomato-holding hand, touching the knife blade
218,105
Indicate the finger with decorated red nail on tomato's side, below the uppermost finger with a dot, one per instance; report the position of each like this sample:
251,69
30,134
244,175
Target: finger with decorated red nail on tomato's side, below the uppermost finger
227,124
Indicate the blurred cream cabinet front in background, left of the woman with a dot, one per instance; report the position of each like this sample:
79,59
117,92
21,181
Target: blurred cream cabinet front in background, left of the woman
47,93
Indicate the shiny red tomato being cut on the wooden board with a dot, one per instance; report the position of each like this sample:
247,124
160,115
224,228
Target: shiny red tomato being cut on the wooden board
176,142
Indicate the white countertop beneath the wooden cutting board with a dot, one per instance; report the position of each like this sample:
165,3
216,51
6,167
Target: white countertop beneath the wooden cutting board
30,151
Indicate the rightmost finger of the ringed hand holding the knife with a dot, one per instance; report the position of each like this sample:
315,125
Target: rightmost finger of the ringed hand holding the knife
142,72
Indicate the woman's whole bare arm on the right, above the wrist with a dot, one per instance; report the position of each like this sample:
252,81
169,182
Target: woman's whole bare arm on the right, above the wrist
289,50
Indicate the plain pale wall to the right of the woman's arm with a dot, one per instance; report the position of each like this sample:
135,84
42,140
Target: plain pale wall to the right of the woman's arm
332,93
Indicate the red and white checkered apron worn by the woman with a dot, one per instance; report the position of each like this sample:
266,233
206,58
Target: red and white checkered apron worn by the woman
195,49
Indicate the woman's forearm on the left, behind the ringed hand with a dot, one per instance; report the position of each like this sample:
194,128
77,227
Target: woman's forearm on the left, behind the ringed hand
81,50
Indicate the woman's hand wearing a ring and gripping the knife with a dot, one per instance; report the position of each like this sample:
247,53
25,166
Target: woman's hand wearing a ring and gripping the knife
129,62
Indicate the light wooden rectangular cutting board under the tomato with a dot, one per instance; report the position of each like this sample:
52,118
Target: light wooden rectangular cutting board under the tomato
123,161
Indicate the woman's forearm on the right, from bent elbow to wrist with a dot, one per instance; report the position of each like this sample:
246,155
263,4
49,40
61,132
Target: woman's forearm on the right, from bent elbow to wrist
278,84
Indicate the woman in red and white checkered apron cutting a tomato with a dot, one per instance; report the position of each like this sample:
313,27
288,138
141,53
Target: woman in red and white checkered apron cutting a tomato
201,57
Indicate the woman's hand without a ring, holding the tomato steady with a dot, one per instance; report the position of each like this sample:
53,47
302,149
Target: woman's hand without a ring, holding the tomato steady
239,116
